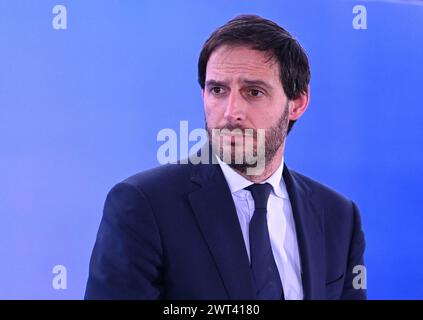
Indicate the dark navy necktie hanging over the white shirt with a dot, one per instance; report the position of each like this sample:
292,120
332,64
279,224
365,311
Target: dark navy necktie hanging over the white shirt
265,272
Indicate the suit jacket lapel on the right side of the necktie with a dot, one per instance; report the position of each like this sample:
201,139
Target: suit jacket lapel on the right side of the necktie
310,234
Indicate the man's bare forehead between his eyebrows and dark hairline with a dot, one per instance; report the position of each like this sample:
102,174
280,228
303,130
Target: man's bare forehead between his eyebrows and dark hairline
232,61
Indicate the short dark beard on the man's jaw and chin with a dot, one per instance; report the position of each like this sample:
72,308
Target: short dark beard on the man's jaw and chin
274,138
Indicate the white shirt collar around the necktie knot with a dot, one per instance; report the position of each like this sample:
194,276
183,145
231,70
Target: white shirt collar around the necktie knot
237,182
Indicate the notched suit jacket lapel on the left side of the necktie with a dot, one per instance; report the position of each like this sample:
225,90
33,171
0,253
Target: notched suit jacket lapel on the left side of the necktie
216,214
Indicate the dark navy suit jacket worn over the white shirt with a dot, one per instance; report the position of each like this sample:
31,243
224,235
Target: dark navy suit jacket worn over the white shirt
173,233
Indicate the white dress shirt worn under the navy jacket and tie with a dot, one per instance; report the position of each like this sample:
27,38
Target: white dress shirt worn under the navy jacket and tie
280,222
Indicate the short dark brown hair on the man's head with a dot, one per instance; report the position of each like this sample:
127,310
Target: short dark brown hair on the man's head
263,35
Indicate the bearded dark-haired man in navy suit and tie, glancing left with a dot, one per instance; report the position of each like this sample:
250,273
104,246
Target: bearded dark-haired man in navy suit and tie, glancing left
215,230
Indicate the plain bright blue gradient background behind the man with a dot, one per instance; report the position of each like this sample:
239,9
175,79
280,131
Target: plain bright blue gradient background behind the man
80,110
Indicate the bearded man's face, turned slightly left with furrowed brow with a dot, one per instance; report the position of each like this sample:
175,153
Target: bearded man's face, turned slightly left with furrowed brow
243,90
